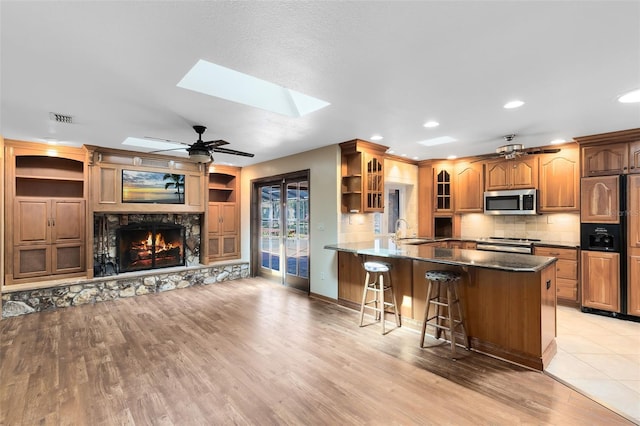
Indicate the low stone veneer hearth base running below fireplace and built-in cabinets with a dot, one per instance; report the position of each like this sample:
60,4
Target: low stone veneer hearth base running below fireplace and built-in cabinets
83,291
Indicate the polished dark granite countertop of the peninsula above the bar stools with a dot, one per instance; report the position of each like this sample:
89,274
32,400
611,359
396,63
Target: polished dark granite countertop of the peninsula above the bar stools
384,247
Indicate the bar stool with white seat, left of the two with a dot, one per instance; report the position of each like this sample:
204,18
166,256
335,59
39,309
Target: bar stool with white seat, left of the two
374,282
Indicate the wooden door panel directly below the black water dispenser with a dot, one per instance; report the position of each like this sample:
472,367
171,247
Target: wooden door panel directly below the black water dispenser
601,280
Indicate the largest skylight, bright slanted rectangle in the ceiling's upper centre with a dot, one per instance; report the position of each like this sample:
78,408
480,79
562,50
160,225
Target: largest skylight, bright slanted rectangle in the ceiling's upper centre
215,80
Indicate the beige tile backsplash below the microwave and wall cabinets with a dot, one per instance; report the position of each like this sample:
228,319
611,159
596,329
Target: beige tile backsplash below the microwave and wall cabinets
558,227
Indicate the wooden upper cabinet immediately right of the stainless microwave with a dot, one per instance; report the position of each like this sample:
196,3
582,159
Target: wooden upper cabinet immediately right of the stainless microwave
559,181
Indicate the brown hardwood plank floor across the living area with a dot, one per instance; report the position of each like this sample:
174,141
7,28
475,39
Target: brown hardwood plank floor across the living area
252,352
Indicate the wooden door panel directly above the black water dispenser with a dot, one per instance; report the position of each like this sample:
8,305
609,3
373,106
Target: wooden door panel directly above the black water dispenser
599,199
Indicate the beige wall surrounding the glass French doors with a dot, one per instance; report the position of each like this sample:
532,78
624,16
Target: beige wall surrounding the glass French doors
324,205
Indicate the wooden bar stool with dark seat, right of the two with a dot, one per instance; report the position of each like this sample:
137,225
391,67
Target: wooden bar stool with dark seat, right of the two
441,302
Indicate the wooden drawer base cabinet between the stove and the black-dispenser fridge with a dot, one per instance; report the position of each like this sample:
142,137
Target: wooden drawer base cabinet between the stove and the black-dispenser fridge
567,272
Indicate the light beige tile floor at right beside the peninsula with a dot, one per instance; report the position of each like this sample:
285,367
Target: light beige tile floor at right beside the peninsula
600,357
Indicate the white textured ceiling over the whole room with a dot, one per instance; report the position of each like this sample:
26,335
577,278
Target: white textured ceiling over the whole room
385,67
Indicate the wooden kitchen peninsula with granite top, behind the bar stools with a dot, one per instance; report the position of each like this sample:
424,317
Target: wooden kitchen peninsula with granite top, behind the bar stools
508,300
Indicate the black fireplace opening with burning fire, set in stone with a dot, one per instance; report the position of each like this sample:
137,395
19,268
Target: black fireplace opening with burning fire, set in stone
143,246
